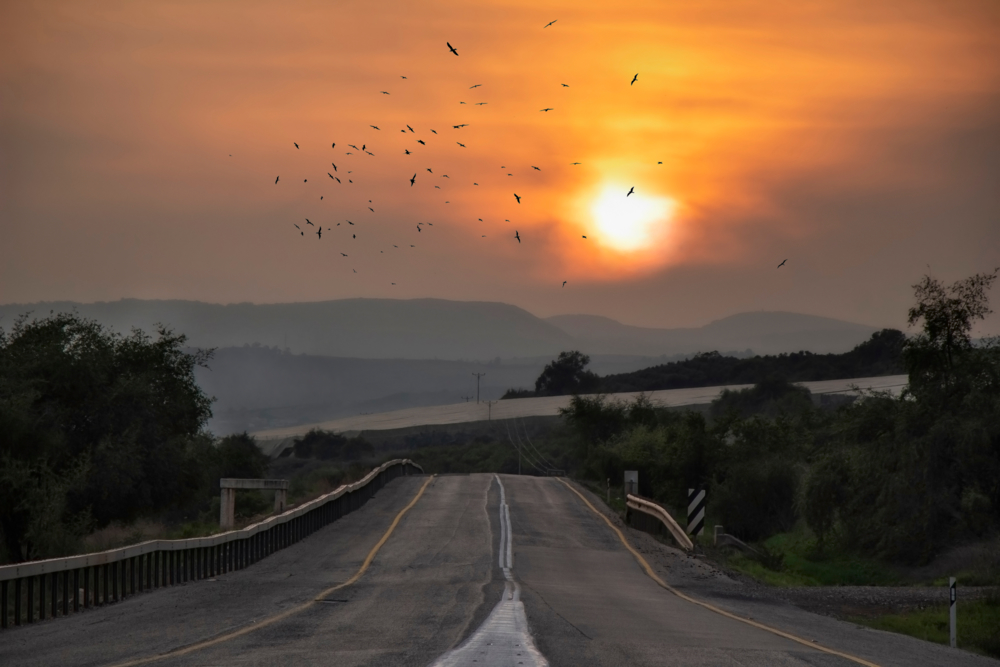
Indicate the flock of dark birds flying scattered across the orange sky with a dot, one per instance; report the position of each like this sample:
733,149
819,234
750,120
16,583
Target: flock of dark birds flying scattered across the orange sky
335,175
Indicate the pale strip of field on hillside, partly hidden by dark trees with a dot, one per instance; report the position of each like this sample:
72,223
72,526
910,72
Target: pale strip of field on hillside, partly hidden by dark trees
458,413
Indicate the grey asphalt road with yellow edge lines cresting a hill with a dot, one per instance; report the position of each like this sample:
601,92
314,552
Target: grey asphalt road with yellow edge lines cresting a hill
437,587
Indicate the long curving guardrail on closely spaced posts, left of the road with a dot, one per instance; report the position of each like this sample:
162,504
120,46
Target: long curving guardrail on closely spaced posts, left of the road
64,585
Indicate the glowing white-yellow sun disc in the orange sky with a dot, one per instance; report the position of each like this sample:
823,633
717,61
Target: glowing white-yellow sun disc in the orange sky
633,222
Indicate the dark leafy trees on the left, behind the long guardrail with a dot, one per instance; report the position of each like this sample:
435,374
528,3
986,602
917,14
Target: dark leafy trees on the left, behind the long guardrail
97,427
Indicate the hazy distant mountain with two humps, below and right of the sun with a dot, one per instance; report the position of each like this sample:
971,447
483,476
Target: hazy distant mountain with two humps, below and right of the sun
762,332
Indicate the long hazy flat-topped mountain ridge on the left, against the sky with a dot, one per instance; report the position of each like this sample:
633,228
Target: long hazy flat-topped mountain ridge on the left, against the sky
368,328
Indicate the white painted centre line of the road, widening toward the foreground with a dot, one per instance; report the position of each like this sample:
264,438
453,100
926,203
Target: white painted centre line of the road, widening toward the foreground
504,637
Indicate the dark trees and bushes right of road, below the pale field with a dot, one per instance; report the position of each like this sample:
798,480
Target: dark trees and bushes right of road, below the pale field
898,478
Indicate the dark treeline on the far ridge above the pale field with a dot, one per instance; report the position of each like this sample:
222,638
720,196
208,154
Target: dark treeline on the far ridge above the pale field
882,354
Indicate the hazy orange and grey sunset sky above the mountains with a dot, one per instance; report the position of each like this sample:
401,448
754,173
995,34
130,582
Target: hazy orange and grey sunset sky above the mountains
858,140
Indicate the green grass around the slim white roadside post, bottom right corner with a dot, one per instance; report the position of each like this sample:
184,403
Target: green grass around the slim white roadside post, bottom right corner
978,625
